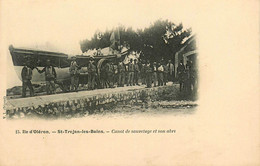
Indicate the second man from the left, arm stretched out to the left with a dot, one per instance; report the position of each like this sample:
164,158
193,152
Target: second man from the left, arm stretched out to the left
50,77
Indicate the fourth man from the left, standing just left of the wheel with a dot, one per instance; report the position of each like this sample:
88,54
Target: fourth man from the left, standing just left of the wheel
92,73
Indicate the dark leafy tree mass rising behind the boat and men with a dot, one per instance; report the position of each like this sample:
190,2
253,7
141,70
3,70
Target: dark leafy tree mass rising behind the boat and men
162,39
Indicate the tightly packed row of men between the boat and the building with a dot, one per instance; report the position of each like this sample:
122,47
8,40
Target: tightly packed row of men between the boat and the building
137,72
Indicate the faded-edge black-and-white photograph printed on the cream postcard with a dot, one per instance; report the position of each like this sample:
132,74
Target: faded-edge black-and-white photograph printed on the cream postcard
122,69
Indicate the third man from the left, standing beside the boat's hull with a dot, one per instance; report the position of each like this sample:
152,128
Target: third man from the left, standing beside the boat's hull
74,75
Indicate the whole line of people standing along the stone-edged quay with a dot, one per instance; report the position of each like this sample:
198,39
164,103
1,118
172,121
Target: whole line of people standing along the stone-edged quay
117,74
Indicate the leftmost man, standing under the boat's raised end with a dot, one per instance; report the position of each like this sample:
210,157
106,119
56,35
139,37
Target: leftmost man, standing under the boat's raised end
26,79
